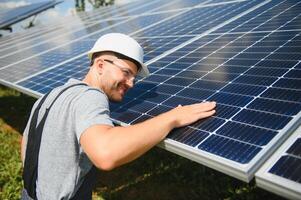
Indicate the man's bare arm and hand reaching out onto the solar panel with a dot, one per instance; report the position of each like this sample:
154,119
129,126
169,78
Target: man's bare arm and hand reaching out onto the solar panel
109,147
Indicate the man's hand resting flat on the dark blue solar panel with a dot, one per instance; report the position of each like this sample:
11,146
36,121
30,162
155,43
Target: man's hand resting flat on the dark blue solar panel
185,115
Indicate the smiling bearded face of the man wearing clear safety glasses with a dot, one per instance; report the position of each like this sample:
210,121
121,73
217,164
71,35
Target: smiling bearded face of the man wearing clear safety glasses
117,77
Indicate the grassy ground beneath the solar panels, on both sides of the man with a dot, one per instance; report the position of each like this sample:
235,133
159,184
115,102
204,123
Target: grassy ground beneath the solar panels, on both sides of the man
156,175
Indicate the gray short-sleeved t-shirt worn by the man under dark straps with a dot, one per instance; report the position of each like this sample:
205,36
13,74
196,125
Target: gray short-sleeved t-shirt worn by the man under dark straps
62,162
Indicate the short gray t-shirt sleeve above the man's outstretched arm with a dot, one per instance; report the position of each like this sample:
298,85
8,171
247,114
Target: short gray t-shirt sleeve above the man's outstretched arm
92,108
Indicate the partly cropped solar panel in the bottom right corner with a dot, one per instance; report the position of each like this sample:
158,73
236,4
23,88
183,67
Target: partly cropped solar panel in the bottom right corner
281,173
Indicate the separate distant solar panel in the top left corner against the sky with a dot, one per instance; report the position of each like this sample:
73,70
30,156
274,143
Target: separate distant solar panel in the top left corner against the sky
14,15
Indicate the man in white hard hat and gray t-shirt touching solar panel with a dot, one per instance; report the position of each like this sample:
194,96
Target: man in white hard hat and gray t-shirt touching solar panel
78,132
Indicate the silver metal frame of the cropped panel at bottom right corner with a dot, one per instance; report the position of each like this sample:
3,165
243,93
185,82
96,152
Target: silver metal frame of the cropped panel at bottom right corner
276,184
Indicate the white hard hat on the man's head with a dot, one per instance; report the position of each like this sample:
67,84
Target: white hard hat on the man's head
122,44
